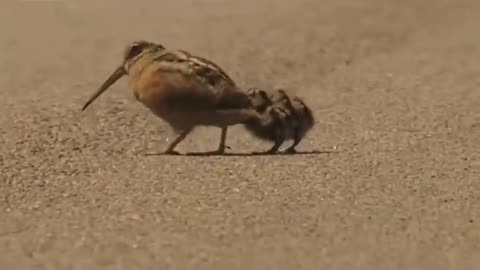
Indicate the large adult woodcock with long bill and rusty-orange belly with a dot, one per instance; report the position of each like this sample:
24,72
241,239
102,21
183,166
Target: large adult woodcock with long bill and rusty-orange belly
183,89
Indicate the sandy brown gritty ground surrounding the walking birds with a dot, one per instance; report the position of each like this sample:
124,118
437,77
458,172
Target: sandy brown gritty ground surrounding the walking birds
395,89
